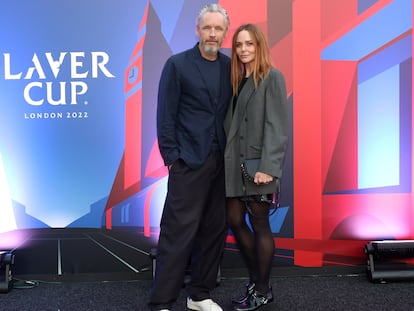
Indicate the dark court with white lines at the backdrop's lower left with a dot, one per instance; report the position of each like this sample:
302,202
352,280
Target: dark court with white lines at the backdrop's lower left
88,254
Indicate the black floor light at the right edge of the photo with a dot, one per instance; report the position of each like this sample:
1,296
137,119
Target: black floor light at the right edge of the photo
387,260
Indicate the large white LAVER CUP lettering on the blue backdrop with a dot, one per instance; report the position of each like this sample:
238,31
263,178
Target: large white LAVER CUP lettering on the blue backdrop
58,79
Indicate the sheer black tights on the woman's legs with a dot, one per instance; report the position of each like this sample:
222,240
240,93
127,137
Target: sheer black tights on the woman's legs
257,246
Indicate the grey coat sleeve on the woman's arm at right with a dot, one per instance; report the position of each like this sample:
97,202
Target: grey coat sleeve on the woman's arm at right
276,126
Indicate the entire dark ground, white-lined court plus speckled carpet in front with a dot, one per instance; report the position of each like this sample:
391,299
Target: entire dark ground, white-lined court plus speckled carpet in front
94,269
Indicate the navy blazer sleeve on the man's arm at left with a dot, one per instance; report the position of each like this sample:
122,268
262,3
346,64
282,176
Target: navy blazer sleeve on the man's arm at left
168,104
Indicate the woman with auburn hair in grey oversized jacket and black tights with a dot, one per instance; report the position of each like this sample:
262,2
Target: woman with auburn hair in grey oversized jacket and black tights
256,125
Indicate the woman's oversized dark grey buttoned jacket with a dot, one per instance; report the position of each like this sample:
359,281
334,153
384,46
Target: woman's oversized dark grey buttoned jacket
258,128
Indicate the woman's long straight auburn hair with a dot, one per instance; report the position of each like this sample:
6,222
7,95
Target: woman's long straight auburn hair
262,62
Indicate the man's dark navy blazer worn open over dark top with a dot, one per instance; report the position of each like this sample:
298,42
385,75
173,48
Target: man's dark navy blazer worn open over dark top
188,115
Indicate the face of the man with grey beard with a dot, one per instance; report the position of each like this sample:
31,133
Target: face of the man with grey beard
211,30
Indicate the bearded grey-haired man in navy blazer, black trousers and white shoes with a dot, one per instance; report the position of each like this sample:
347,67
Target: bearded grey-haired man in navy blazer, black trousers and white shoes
194,92
